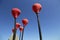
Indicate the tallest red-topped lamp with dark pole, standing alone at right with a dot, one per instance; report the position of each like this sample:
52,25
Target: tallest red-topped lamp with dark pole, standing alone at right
37,8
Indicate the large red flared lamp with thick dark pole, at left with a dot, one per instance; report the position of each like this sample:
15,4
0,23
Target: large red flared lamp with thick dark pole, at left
15,12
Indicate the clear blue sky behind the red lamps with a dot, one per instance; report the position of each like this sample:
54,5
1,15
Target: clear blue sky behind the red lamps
49,19
